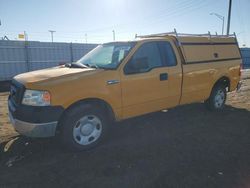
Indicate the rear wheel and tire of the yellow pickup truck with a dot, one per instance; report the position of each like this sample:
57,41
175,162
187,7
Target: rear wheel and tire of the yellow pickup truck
217,99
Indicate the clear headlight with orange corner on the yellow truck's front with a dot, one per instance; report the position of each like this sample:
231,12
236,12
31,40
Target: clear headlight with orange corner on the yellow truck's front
36,98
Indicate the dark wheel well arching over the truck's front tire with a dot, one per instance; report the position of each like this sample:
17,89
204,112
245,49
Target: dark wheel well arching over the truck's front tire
91,101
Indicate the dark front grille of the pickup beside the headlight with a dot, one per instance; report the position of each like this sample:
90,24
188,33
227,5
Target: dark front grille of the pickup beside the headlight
16,92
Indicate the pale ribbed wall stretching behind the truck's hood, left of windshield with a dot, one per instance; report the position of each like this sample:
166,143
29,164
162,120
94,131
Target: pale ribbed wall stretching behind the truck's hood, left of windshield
18,56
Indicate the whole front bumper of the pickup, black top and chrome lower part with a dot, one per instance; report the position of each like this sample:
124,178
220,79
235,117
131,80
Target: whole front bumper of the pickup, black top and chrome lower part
34,121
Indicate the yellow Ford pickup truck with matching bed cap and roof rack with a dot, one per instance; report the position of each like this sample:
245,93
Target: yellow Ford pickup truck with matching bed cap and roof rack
119,80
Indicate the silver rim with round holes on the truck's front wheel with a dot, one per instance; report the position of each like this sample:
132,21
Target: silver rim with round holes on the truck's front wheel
87,130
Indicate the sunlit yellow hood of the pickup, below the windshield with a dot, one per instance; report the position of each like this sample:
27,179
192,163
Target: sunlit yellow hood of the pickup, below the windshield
50,74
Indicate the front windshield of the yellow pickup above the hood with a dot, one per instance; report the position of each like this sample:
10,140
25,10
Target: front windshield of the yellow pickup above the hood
107,56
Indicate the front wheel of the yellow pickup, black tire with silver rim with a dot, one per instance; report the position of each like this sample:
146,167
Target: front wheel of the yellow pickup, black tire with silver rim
83,127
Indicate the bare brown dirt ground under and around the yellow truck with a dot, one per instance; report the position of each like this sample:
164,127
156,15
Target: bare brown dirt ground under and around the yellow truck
187,146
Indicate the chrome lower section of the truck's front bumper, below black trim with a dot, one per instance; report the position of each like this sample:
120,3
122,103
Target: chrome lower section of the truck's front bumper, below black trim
33,129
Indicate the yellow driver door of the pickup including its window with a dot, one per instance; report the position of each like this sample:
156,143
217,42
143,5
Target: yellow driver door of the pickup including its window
144,81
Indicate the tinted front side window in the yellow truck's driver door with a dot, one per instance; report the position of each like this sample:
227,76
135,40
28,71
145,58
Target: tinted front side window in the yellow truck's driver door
145,59
